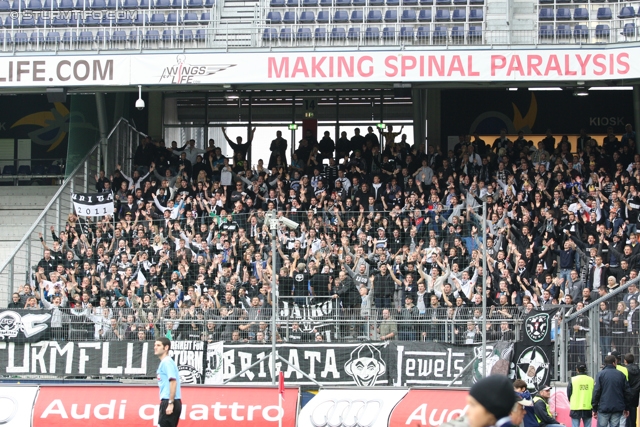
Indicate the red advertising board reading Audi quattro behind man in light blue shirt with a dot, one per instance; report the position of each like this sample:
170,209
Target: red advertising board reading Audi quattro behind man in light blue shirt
98,406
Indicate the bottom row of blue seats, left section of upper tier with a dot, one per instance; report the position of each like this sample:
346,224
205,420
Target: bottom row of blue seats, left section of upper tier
102,36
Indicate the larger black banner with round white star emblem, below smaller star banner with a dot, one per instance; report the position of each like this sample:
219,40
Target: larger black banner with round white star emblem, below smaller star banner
533,364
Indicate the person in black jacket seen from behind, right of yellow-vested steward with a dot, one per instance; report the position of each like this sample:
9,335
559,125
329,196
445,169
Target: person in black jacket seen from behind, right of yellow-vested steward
611,394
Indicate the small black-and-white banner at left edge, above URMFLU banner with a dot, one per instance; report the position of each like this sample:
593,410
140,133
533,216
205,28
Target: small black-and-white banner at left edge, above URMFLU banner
24,325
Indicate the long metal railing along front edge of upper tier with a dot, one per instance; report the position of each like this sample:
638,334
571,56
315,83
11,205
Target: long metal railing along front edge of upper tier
218,36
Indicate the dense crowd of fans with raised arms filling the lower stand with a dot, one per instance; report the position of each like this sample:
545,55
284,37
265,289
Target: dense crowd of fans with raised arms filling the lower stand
390,236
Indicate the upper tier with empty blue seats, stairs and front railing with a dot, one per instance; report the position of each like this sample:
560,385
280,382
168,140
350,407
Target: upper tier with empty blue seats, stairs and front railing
47,25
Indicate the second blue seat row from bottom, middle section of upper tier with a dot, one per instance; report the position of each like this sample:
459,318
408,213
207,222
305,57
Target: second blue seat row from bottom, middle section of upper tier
357,16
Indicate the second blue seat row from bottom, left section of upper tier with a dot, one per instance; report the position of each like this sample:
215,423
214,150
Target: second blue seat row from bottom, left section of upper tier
89,21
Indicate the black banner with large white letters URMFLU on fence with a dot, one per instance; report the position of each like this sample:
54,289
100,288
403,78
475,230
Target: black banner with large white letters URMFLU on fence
64,358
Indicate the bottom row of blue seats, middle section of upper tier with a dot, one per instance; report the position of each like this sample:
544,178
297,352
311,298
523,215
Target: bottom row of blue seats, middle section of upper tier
373,33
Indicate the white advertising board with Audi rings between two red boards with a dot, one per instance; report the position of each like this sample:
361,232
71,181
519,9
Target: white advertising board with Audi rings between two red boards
367,407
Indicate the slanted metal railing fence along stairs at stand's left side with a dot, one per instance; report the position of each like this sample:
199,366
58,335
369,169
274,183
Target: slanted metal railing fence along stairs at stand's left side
18,268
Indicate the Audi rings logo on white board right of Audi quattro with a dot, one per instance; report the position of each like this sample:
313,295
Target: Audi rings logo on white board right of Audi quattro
346,413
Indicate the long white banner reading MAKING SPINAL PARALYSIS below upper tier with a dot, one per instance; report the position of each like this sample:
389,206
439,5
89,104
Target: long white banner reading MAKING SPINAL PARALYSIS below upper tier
541,64
